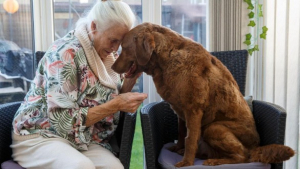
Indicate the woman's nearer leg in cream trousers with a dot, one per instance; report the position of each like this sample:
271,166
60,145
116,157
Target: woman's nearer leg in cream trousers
49,153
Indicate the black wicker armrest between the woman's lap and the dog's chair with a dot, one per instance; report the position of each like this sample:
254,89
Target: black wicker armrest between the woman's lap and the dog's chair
126,140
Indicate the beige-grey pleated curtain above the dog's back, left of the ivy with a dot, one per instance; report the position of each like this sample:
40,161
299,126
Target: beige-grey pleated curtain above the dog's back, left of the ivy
227,25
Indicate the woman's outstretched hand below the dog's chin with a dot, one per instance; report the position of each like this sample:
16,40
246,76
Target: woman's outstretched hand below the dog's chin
129,102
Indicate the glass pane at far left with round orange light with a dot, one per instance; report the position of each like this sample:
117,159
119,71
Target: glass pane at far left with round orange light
16,46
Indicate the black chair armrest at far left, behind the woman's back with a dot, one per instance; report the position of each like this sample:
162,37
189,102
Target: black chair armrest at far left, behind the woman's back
7,113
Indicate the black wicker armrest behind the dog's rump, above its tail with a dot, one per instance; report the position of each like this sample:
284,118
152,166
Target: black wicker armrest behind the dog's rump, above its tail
270,122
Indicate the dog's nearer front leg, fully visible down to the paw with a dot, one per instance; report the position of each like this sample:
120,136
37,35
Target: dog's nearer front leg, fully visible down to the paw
193,125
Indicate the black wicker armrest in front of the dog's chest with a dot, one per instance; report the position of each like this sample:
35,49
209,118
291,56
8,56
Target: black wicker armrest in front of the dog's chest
159,126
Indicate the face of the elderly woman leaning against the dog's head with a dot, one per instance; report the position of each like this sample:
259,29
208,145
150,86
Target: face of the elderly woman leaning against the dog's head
108,41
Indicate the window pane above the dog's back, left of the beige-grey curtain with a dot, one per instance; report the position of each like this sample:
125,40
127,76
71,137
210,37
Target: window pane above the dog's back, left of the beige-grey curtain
186,17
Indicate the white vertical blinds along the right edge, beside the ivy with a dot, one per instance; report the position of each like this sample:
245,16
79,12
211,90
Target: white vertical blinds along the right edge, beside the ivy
281,60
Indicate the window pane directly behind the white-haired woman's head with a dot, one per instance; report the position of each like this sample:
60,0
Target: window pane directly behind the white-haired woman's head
67,12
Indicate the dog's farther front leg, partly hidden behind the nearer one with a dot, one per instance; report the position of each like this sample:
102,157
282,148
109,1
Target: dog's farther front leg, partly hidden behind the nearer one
179,147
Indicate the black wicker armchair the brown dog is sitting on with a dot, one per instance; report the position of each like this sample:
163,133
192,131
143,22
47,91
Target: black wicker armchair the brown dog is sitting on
159,123
